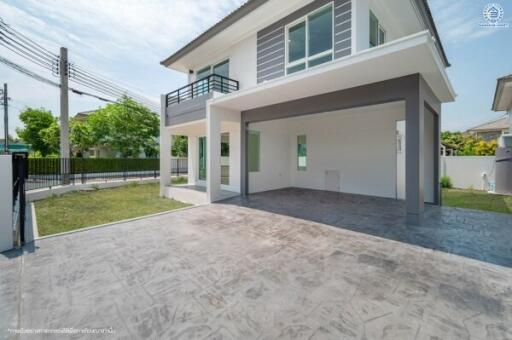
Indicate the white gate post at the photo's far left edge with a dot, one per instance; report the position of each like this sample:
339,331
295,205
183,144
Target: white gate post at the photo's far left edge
6,236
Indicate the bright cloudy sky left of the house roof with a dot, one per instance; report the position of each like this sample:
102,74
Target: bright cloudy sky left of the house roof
118,39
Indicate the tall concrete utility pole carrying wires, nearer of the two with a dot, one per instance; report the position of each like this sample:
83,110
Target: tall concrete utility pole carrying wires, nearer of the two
64,115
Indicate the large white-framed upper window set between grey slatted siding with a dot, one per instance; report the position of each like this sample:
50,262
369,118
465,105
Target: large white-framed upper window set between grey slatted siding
309,40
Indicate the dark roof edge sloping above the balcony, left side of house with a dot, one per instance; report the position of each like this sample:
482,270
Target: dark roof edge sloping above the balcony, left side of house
233,17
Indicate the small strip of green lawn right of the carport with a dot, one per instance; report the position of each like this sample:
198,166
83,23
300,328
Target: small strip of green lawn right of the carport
475,199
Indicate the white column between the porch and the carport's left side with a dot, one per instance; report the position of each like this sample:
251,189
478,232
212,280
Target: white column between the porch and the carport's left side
213,153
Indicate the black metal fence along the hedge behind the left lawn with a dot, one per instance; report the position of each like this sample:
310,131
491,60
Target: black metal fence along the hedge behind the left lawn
50,172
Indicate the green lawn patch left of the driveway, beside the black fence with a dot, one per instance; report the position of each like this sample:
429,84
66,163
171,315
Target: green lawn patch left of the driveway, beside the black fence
89,208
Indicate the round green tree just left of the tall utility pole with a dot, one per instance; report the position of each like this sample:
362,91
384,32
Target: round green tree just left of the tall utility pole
39,130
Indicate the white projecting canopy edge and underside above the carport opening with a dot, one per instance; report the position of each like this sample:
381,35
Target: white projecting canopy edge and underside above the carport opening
409,55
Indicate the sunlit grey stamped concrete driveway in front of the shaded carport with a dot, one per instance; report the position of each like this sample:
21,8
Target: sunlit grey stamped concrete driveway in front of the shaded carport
226,271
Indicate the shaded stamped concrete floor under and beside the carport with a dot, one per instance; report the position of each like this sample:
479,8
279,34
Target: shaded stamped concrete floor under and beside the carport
479,235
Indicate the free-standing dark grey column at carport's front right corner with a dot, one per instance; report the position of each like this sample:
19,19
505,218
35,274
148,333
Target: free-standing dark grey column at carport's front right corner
414,171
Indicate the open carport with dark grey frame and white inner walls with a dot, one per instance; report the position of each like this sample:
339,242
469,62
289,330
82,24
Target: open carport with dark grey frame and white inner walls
359,153
